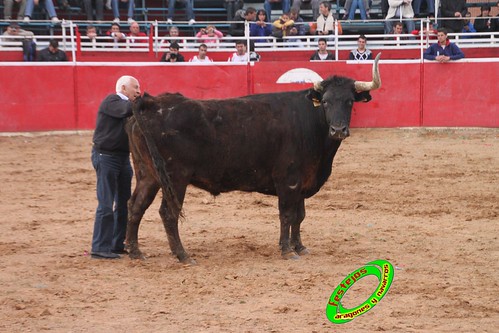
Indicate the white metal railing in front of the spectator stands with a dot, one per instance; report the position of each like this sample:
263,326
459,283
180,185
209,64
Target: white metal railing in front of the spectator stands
70,42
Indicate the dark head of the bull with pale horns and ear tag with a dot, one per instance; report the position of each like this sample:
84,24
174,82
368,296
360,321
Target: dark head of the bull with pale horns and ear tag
336,96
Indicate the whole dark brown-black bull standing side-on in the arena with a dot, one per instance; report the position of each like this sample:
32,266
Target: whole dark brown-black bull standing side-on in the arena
279,144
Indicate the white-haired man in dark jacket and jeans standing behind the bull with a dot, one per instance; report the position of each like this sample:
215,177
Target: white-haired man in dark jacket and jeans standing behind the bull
111,161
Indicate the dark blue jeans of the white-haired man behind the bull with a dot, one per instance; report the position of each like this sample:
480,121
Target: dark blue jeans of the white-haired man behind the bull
114,187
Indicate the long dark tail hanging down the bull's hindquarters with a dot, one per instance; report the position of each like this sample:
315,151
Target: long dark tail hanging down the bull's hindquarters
174,207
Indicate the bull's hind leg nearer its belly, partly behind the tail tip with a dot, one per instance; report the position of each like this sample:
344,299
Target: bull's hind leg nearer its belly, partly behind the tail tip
170,222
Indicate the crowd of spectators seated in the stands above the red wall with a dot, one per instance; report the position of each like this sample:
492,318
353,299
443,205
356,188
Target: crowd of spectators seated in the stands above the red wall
288,27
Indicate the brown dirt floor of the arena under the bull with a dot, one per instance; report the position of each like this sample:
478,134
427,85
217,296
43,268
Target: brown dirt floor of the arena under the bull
425,200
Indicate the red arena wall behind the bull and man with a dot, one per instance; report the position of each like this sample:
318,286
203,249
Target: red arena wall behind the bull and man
45,97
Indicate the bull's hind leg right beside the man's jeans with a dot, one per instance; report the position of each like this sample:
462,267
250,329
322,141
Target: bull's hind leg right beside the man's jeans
141,199
